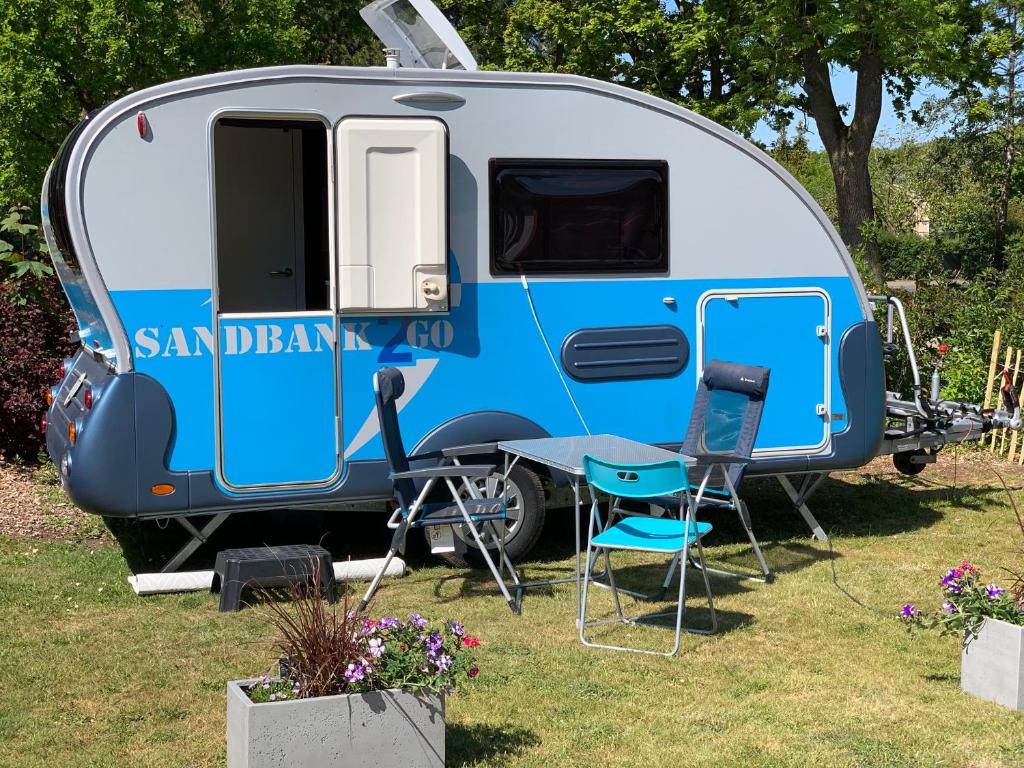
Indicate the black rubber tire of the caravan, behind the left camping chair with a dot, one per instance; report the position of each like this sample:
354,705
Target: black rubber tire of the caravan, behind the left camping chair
527,513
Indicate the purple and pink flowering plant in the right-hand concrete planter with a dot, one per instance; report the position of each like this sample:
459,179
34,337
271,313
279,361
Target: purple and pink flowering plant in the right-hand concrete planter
968,602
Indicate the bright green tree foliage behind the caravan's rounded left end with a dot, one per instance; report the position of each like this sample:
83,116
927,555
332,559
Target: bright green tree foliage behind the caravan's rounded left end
62,59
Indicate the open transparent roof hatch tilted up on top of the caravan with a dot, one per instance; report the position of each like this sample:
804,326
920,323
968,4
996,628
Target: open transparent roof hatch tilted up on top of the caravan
422,34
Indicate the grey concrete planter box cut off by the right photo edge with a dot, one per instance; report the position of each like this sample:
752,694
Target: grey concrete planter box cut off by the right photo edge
993,664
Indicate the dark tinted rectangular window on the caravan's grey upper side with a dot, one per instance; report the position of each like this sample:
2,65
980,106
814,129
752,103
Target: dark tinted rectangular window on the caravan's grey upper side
550,217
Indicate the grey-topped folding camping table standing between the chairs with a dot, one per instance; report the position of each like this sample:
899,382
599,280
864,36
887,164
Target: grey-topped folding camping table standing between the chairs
566,454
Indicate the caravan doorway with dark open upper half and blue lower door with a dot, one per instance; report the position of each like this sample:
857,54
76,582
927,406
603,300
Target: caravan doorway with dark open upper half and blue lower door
277,351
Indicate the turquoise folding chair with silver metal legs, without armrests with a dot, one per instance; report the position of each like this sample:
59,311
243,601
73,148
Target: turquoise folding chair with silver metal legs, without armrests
666,536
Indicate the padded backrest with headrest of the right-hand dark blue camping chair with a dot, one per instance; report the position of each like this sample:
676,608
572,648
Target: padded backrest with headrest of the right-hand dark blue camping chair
728,412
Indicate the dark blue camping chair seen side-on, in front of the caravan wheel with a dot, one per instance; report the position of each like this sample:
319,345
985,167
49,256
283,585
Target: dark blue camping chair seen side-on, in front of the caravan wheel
413,509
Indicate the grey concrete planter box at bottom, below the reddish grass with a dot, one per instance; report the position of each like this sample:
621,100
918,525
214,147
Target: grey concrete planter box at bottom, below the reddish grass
390,729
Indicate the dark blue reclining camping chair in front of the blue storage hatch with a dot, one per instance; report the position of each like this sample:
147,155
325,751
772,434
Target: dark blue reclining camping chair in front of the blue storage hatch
723,429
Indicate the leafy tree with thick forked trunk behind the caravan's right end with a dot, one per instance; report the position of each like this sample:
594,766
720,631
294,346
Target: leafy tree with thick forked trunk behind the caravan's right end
892,46
